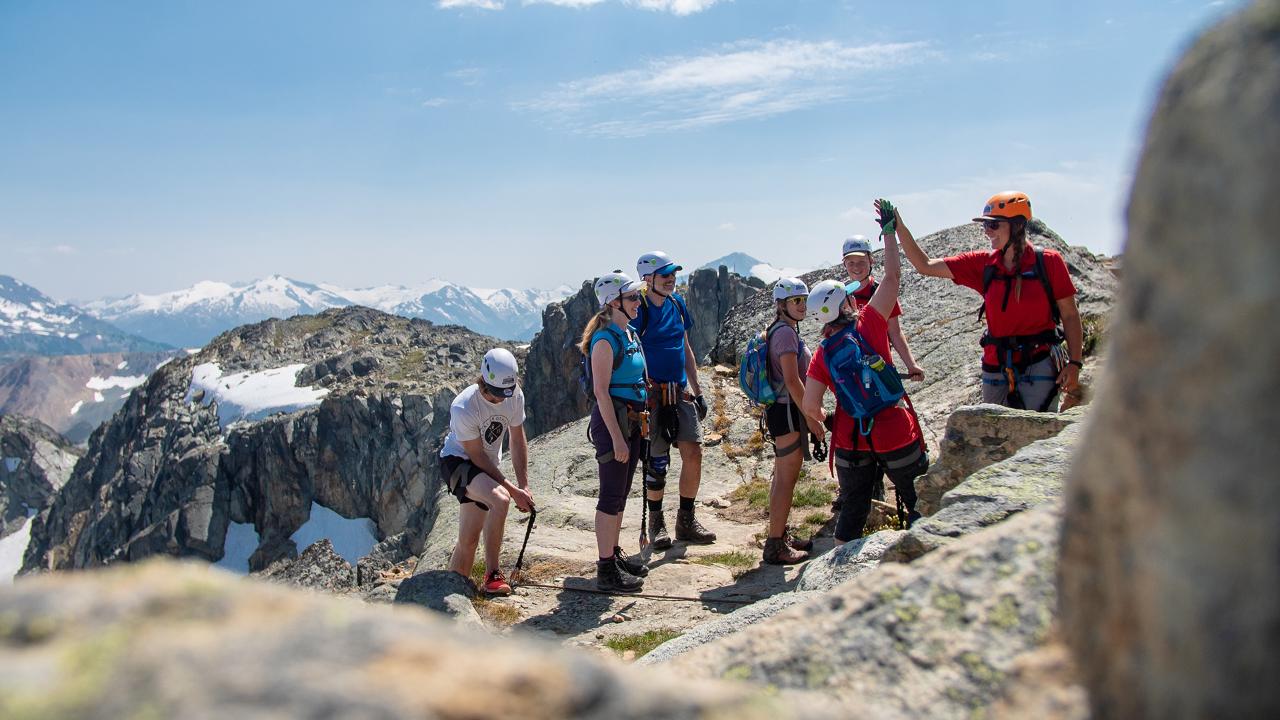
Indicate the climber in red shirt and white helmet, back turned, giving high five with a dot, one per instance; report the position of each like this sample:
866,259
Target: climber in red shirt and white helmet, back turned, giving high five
893,443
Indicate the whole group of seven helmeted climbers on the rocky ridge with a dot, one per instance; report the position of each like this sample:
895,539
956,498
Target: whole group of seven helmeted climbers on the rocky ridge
641,372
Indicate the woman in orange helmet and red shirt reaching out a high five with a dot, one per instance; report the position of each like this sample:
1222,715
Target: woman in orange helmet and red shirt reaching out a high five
1027,294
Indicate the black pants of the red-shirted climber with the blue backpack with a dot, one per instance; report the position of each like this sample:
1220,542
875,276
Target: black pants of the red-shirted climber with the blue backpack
858,472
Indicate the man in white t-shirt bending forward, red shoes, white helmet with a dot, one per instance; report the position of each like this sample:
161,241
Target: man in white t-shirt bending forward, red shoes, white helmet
470,464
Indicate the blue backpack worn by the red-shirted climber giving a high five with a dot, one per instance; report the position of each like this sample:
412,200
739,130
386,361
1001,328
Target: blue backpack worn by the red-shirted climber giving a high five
866,384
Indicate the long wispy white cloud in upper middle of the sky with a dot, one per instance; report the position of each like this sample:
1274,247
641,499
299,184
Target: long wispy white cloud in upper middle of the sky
740,81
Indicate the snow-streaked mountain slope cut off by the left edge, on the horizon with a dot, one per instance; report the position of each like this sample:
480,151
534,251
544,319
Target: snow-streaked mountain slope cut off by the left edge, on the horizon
33,323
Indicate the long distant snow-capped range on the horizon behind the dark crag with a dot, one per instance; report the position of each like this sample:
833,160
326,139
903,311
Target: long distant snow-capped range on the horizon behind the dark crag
193,317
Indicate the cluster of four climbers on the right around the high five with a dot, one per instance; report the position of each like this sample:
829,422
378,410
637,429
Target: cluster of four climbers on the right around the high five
1032,353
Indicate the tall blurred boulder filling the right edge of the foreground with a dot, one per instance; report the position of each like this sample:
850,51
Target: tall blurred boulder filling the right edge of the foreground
1172,543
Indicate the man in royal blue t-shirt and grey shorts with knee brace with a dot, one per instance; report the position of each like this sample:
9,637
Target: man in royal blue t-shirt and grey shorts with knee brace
664,326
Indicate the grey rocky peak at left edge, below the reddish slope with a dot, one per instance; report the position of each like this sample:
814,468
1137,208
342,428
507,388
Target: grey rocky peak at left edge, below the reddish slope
35,462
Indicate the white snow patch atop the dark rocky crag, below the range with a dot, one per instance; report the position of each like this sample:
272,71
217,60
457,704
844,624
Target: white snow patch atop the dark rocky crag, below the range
253,397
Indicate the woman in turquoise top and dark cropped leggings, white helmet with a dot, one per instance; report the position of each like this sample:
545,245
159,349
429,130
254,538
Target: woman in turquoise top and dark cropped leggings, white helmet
619,389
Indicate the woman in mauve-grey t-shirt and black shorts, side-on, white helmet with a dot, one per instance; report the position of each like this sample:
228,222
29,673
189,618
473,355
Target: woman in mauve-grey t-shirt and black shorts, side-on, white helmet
788,363
